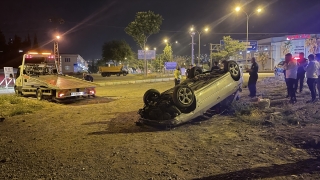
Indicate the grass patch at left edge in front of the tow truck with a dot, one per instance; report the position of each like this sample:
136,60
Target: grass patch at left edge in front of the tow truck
11,105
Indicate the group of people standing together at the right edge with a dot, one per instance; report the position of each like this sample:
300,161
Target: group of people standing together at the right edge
295,72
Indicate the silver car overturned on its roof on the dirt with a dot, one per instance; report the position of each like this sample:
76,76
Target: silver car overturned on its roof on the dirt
200,92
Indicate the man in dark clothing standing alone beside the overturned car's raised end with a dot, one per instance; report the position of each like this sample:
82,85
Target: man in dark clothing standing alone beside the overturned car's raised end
253,77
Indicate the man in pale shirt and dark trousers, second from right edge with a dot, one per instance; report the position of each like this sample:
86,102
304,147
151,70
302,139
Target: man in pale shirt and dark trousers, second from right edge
311,69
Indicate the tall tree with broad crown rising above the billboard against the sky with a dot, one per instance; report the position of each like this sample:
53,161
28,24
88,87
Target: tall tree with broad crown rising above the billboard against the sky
144,25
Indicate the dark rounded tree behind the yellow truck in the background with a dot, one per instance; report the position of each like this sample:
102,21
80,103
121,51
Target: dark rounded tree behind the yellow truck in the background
116,51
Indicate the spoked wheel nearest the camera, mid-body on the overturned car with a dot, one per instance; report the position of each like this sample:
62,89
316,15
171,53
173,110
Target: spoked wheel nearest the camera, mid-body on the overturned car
183,96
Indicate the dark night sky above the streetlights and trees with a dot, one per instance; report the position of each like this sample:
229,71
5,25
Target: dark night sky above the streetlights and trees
88,24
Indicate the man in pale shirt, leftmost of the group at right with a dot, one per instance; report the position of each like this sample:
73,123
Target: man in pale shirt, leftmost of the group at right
291,68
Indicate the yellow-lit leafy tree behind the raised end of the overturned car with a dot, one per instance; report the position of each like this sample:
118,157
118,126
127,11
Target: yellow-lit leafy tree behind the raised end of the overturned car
230,48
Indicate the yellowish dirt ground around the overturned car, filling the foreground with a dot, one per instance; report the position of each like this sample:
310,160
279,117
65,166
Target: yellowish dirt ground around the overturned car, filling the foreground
98,139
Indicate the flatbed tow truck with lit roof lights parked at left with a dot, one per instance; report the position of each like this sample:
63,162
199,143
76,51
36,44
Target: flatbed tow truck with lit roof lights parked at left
38,76
